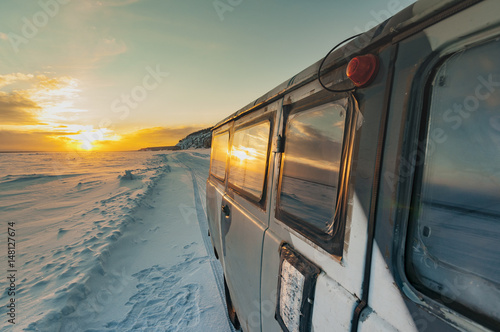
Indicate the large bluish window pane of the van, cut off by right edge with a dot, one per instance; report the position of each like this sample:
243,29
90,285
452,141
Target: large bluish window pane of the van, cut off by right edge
453,251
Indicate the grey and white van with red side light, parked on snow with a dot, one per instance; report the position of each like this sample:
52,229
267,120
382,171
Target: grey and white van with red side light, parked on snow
369,199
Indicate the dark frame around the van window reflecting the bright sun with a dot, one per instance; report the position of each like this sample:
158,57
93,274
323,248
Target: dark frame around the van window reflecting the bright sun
233,188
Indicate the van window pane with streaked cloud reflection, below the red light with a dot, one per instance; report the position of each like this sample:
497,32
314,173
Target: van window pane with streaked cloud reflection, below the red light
311,163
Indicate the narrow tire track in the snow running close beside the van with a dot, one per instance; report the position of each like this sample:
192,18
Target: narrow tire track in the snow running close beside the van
202,221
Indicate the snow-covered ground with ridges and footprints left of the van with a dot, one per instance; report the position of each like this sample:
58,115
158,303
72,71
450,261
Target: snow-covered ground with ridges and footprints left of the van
99,250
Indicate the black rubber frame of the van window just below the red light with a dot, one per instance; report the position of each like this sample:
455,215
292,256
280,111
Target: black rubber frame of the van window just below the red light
332,243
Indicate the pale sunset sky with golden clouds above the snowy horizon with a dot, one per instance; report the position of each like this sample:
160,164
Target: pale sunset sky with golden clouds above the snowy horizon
126,74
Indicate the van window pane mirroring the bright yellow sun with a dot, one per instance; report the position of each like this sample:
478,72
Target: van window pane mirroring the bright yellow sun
249,158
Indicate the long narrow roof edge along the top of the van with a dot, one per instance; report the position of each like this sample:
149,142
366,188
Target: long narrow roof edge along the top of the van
403,24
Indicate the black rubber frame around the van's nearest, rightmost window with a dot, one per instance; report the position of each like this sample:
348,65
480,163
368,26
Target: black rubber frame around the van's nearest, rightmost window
408,197
